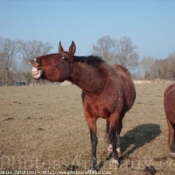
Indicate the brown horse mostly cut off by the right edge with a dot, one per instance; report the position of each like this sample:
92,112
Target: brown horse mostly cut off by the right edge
169,105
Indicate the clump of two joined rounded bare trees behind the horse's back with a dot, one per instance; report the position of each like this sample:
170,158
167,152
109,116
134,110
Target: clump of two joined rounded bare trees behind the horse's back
121,52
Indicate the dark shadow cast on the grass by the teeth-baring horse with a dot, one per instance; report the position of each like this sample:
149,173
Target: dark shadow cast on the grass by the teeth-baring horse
136,138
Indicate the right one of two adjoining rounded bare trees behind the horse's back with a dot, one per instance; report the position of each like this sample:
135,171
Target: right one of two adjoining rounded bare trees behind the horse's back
125,53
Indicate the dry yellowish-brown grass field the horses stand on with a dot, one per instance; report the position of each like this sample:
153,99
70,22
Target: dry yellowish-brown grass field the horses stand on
43,131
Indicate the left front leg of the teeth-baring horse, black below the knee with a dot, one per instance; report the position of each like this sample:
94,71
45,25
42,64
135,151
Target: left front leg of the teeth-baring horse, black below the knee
91,121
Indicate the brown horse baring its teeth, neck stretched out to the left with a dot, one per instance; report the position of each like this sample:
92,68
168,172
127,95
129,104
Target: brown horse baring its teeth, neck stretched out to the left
108,90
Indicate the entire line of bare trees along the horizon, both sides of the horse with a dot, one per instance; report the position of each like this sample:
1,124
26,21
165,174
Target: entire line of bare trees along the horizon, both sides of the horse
15,54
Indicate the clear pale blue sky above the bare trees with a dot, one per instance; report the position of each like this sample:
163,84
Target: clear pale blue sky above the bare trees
149,23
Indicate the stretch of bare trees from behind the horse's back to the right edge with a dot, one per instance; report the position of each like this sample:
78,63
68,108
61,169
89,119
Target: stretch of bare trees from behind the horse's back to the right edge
124,52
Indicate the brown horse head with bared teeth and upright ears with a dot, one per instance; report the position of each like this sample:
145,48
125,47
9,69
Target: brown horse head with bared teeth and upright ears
54,67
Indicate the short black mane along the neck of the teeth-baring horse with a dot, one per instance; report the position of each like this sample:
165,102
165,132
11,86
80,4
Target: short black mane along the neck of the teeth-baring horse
88,59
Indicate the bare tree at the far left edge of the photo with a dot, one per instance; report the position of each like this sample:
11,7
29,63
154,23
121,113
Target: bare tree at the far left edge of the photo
9,50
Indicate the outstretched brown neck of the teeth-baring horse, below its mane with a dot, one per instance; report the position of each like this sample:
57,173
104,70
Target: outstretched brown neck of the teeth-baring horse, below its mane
90,78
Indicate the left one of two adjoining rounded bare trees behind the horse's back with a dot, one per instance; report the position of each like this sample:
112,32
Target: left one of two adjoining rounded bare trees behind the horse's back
104,48
